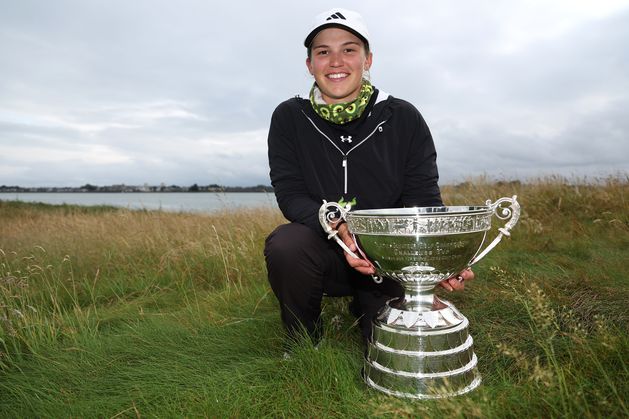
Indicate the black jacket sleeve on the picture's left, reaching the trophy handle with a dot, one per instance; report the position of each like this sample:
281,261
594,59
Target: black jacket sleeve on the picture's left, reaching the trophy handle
287,177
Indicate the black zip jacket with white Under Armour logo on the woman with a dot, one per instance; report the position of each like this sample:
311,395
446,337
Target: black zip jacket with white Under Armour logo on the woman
385,159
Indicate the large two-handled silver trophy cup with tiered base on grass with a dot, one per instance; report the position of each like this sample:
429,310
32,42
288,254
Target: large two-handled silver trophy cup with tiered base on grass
420,346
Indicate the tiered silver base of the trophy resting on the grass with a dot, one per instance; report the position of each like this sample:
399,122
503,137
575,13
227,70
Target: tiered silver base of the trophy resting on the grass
421,354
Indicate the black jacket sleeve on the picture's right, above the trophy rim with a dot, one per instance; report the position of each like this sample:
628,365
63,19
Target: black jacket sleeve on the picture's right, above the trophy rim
421,176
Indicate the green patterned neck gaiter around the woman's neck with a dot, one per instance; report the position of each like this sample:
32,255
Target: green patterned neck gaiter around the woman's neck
341,113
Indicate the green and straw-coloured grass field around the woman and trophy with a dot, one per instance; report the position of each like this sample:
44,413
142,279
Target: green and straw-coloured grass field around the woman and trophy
117,313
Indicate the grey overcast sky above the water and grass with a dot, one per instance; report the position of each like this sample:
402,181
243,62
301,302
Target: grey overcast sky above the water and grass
181,92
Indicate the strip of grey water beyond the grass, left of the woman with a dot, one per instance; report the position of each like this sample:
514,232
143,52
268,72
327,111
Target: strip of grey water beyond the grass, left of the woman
166,201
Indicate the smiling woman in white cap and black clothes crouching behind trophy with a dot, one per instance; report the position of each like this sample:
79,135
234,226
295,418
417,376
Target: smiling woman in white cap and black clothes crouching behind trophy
349,141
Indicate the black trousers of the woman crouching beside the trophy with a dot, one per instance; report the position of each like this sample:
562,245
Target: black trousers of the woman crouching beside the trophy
303,266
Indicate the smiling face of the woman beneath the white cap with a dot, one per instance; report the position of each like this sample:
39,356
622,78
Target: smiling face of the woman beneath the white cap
337,61
